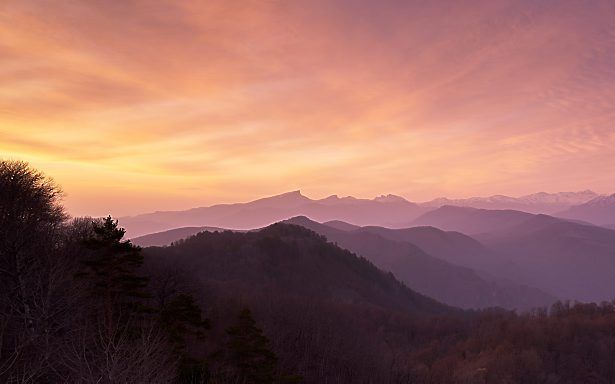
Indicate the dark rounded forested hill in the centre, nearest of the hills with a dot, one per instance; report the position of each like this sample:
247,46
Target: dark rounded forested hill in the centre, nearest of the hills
290,260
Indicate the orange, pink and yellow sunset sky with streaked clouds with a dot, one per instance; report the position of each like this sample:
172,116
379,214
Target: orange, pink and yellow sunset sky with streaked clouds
137,105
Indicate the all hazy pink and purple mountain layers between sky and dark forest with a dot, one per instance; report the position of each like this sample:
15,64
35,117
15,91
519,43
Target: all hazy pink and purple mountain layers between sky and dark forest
462,256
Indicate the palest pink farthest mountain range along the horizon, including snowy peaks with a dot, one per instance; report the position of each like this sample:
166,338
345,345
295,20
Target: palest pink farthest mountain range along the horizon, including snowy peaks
386,210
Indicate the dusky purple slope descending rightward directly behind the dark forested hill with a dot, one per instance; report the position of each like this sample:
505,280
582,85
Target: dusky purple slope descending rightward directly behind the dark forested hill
449,283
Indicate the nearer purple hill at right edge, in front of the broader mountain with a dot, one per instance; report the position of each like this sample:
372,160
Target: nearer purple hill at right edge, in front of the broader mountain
568,259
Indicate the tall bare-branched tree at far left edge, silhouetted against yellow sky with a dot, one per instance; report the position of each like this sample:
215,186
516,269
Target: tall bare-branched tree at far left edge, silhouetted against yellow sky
31,284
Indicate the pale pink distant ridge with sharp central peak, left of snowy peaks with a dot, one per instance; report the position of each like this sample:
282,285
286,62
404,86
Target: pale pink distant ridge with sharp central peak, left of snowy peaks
383,210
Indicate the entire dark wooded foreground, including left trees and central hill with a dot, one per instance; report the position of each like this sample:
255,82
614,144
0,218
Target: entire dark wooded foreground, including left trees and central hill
81,304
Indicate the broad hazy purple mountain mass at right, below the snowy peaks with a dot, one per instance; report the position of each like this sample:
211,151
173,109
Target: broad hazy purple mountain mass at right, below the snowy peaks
568,259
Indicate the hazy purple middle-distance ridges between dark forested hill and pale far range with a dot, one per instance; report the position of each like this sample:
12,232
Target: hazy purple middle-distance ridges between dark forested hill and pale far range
474,258
